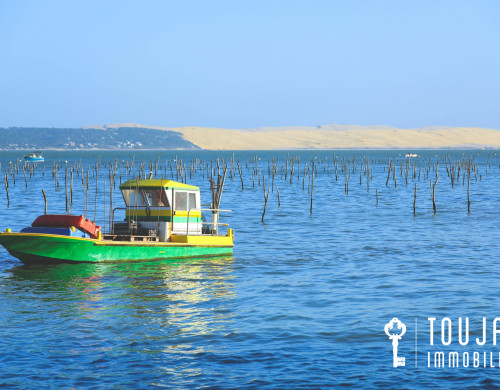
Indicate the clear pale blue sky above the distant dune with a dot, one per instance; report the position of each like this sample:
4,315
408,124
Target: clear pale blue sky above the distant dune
250,63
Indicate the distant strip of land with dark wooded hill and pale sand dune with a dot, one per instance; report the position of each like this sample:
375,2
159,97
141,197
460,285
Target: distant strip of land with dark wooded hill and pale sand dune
134,137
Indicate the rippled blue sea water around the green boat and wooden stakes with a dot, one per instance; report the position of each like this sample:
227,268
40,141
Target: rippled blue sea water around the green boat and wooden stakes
301,304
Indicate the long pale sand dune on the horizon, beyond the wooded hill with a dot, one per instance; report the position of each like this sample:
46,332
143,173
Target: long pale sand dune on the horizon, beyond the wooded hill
333,137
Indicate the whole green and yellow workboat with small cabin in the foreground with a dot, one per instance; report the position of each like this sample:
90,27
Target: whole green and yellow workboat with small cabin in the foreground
163,220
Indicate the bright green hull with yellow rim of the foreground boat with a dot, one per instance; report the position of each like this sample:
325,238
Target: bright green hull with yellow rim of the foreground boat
47,248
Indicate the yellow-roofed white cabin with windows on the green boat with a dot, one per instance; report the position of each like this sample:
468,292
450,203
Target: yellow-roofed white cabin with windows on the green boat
160,208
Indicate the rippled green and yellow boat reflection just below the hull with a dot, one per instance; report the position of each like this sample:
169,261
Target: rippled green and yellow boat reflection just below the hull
193,281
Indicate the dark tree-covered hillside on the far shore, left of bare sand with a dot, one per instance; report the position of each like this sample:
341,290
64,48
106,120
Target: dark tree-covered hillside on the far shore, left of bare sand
15,138
